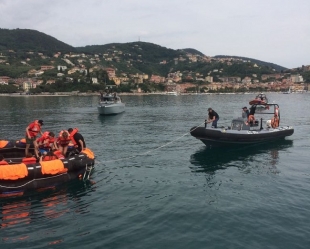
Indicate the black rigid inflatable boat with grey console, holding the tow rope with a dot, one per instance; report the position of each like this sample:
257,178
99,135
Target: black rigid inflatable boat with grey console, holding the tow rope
243,132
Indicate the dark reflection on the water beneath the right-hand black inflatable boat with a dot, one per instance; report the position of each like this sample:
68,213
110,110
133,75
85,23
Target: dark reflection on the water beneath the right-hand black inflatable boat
210,160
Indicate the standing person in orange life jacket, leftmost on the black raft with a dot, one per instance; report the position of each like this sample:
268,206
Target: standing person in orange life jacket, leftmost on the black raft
32,131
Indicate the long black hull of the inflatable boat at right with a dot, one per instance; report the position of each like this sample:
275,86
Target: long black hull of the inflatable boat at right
226,137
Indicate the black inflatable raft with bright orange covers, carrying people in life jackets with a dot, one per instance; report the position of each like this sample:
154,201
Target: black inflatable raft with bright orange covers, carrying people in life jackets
17,176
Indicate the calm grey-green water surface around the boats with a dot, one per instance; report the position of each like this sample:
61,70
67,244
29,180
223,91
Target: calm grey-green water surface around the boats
155,186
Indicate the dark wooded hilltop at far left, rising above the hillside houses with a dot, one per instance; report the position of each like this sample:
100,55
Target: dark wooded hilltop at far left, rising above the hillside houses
31,40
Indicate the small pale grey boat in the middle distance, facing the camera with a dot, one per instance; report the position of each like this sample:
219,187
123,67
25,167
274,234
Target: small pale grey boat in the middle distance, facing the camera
110,105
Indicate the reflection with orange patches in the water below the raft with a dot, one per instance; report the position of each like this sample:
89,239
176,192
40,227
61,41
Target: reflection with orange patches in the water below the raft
43,204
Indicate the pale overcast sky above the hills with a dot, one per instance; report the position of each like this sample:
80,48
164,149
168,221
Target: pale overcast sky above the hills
276,31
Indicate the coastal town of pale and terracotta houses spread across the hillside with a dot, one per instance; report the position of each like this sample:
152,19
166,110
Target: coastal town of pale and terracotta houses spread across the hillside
74,67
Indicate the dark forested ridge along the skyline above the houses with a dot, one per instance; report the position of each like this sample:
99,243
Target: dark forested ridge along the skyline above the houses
28,40
